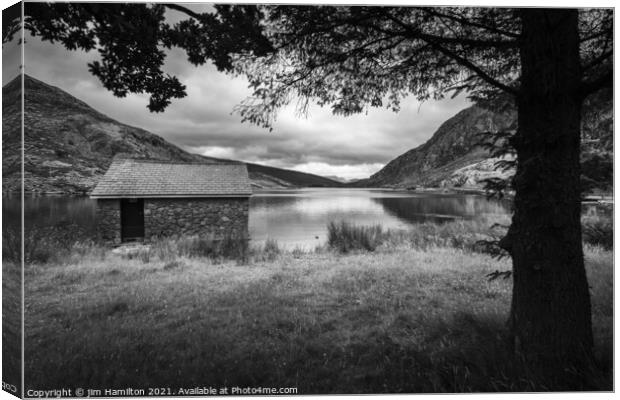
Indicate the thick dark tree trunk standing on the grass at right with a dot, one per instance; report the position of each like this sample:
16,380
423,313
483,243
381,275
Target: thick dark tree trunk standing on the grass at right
550,314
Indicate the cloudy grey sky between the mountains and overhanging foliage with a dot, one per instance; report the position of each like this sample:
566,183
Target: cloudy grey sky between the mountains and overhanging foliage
203,122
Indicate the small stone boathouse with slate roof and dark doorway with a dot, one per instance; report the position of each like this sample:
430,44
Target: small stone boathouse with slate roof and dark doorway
142,200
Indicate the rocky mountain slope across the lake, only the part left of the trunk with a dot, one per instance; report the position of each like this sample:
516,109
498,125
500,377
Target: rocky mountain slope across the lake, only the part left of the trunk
453,147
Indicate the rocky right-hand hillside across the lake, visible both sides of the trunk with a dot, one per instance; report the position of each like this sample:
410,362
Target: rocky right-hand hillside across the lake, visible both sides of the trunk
453,157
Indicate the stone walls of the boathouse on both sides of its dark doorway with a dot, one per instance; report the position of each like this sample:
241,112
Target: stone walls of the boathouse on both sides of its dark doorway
173,217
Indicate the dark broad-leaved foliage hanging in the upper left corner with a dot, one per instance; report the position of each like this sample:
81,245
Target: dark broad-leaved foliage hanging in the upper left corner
132,41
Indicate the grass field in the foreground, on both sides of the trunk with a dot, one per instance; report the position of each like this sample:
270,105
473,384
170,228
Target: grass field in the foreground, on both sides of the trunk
412,316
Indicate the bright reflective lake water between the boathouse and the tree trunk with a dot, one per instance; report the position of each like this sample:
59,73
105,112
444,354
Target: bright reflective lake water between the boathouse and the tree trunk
300,217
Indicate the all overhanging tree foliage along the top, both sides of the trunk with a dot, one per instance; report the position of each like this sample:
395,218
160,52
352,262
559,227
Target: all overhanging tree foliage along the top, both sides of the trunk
348,57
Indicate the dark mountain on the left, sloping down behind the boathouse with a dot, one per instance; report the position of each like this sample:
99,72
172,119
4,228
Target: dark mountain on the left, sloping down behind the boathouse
69,145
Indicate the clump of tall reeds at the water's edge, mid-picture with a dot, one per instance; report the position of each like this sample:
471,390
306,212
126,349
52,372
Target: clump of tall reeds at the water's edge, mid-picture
346,237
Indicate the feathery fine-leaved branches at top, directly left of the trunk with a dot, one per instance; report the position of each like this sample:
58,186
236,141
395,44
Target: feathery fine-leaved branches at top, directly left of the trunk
355,57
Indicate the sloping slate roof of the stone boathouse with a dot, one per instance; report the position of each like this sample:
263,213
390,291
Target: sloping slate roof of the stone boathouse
154,178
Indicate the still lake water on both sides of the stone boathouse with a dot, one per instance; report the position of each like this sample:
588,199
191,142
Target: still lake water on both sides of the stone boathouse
292,217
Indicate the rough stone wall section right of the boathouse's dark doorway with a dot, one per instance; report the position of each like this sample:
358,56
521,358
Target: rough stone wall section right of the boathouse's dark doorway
206,216
